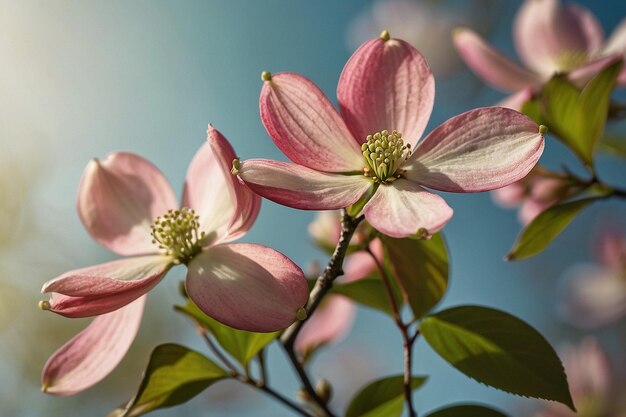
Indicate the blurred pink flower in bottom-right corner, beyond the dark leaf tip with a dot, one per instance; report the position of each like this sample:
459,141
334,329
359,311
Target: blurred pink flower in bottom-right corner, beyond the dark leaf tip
589,377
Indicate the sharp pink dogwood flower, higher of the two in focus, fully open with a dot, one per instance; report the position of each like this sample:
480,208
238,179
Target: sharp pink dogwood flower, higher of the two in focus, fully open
386,94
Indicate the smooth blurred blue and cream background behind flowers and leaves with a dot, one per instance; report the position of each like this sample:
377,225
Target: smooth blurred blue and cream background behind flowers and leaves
79,79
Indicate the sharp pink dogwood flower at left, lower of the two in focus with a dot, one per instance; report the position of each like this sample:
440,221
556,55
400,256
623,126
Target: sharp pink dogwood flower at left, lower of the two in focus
127,205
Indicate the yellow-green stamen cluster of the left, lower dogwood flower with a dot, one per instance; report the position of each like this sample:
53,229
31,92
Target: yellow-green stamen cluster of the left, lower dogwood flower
178,233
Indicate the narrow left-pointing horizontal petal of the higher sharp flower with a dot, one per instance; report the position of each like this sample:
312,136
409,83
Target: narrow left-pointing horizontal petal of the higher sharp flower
300,187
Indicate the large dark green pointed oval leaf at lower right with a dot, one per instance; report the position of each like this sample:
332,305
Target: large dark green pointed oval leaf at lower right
499,350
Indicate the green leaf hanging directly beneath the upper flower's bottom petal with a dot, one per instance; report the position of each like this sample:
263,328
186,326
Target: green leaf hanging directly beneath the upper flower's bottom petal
421,269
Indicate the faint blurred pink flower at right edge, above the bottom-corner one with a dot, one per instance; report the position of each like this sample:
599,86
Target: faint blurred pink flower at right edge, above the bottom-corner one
594,295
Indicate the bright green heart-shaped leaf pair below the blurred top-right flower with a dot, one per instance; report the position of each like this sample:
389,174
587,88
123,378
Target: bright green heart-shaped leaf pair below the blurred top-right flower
578,118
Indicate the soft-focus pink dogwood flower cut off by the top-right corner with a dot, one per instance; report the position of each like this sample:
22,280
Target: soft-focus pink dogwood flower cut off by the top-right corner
550,38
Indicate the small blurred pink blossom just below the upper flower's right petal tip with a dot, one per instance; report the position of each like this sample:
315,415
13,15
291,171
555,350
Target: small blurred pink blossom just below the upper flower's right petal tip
536,192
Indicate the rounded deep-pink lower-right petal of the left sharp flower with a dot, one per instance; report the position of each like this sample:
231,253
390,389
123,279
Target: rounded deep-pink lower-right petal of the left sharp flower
247,286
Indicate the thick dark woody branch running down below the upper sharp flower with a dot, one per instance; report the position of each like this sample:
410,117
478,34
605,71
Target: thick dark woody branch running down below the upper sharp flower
323,284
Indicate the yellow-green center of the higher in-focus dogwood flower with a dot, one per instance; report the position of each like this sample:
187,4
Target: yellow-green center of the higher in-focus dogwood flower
384,153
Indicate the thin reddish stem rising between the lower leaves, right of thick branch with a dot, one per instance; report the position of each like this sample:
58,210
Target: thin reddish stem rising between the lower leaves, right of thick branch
407,339
